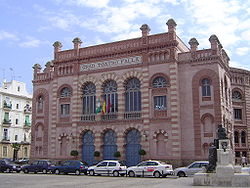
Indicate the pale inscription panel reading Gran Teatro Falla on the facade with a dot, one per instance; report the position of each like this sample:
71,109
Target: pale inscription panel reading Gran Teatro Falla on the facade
111,63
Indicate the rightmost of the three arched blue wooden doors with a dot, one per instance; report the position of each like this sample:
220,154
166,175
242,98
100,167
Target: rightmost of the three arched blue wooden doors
133,146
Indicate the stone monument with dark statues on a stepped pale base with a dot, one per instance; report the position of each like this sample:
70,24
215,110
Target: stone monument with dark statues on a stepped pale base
221,170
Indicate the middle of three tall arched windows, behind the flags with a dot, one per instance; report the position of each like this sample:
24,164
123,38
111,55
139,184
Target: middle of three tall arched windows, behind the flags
110,96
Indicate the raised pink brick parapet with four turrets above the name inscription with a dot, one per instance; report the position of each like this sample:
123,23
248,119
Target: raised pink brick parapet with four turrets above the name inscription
125,47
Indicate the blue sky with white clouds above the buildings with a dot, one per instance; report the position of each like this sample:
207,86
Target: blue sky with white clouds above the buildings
28,28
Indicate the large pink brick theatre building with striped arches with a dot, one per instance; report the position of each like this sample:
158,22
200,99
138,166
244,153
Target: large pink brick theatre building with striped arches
152,93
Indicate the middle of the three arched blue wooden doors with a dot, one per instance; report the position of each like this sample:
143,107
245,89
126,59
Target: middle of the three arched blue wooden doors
109,147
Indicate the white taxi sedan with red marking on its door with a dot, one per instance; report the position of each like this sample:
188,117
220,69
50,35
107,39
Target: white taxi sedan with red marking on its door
150,168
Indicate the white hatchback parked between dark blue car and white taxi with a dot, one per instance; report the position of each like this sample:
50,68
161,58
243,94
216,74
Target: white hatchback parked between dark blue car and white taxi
108,167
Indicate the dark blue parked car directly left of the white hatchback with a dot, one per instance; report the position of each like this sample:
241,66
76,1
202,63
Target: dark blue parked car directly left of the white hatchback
71,166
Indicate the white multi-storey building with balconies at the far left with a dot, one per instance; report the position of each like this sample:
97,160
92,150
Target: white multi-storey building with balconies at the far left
15,110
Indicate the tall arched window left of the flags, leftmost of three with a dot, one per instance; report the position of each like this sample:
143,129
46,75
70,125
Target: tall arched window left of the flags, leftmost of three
89,99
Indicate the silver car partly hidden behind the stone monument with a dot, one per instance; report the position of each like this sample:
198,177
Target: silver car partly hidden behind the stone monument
191,169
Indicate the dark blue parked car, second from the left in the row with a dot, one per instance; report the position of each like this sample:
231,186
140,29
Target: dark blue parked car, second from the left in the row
43,166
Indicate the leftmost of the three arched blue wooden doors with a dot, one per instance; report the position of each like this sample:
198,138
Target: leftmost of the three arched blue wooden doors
88,147
